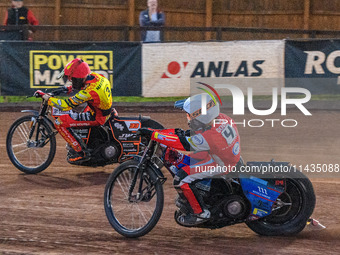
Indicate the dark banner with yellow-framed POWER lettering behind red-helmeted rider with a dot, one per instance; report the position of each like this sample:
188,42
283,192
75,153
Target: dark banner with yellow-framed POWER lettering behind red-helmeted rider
26,67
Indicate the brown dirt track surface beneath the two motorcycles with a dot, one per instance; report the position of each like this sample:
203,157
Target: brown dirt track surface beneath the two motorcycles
61,209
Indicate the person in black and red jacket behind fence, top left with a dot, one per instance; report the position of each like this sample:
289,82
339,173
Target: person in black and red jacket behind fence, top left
18,14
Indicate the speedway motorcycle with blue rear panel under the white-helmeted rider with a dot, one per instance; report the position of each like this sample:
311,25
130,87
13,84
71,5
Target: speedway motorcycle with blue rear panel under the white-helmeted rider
270,205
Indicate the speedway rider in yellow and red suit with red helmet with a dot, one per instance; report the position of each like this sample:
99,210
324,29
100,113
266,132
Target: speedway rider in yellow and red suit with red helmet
95,90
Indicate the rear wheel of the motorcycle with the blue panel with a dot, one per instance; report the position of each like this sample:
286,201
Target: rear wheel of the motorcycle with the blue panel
297,205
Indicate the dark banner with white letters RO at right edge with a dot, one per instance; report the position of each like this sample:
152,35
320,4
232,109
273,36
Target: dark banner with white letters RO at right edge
314,65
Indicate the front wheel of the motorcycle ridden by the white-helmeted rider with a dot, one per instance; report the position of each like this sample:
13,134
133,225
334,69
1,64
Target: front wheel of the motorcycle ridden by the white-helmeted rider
135,214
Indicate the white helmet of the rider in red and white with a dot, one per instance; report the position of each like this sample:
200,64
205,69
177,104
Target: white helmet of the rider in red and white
193,106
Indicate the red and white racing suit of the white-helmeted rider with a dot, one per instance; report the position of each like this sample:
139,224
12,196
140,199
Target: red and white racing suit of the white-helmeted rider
217,145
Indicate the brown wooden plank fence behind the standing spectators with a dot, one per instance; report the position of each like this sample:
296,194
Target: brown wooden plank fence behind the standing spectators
283,14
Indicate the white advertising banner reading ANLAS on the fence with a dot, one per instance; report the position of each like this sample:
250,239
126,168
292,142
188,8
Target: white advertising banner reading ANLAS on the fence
168,68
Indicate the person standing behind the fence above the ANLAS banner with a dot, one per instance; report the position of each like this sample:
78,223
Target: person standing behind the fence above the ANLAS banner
152,17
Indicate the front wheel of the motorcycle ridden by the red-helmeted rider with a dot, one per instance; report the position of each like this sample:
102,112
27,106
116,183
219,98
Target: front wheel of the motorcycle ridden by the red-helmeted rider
30,144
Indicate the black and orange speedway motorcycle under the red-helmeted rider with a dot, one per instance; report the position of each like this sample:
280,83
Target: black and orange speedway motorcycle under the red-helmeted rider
31,140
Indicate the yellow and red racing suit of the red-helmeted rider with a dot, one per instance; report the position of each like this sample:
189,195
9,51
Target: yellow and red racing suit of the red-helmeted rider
97,94
